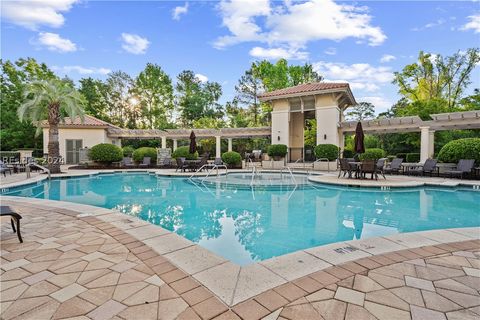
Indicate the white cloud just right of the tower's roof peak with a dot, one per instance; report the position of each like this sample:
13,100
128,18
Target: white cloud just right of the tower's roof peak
362,74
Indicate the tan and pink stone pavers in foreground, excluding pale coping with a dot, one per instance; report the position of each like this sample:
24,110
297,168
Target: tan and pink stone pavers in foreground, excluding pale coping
84,268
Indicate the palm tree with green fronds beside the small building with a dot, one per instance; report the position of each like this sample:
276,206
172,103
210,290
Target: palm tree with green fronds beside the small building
50,100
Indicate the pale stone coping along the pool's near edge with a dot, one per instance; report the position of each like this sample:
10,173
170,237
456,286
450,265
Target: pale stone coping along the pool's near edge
232,283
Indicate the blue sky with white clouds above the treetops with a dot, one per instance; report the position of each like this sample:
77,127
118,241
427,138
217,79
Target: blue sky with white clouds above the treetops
361,42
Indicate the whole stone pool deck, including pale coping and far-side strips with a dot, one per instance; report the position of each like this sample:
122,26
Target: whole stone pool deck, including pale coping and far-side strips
95,263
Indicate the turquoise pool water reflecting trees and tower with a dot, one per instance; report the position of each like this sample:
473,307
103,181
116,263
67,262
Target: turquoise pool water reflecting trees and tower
246,225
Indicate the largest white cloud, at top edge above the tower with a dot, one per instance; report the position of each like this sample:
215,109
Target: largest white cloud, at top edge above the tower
295,24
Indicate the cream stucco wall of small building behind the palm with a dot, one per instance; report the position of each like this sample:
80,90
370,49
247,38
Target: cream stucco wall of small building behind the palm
89,137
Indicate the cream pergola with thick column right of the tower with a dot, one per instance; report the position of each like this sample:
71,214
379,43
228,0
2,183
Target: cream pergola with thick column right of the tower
439,122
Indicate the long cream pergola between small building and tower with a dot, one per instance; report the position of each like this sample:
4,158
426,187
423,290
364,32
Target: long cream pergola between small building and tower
179,134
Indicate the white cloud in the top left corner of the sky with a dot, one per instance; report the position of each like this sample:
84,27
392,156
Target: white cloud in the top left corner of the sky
32,14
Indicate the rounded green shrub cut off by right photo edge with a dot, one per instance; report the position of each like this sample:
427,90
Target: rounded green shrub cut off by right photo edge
468,148
